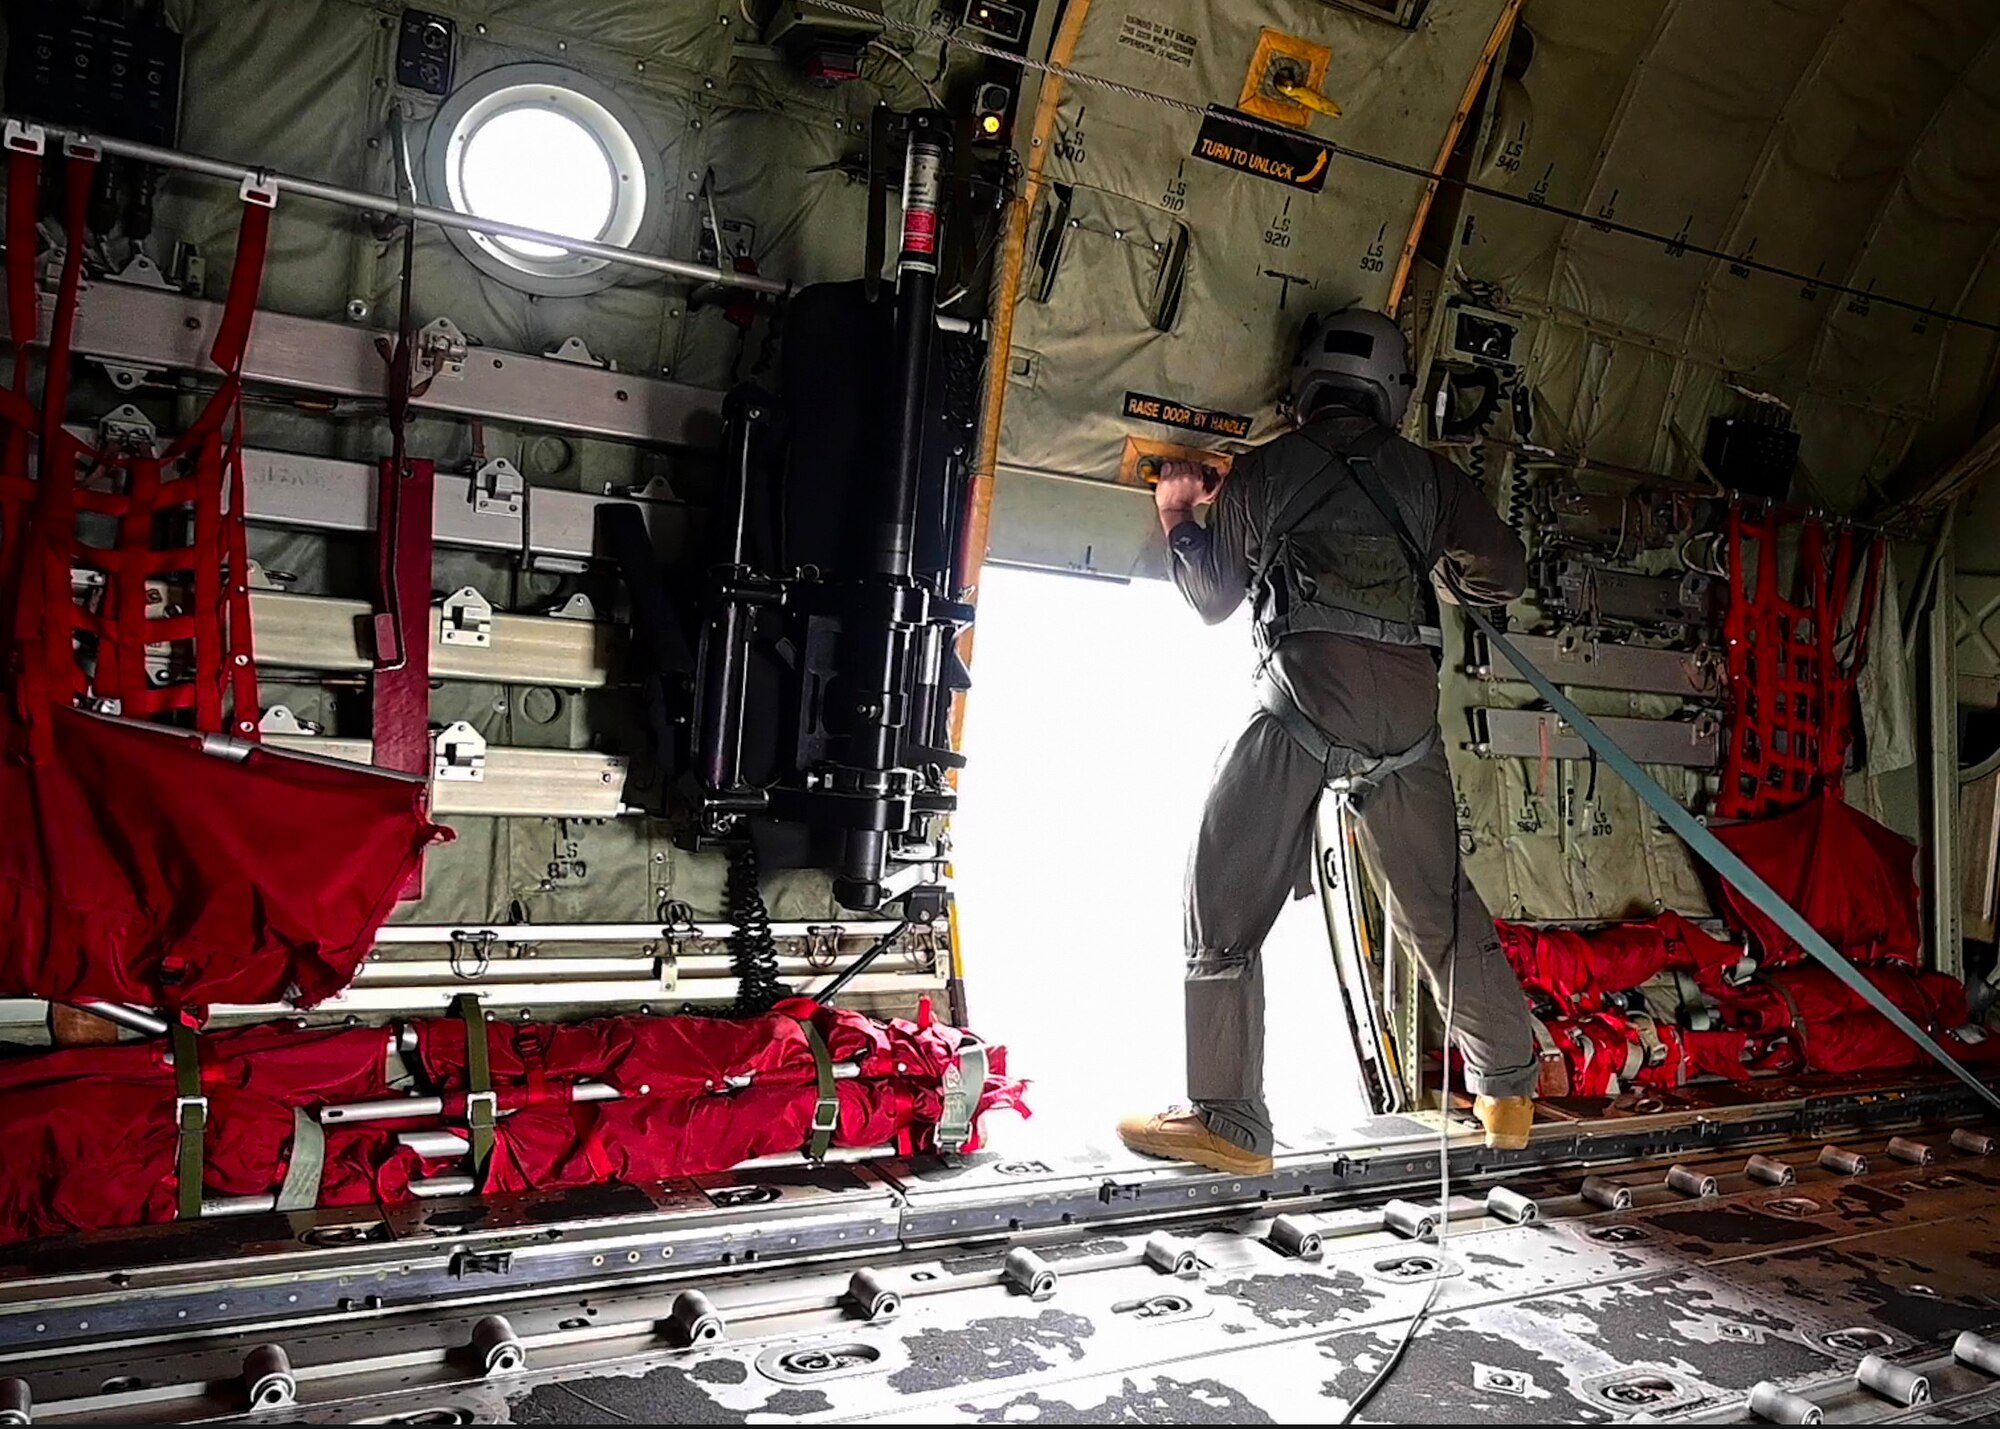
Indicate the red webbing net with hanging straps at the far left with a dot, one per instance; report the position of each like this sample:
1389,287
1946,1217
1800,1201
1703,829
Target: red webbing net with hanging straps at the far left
127,575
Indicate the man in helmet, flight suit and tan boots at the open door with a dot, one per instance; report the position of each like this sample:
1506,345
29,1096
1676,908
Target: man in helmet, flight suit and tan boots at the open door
1349,693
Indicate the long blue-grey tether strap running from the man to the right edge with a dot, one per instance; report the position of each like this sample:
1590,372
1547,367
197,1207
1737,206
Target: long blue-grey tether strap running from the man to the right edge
1713,852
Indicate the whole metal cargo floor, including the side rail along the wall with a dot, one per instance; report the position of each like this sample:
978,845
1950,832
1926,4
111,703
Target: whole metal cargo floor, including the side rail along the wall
1675,1306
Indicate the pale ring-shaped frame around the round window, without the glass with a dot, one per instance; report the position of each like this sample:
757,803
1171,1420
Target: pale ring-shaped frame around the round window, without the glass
605,117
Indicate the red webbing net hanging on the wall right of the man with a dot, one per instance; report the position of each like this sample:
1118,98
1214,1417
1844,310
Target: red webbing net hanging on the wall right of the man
1791,681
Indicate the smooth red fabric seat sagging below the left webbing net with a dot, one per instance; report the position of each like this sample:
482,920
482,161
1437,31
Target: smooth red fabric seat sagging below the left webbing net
135,870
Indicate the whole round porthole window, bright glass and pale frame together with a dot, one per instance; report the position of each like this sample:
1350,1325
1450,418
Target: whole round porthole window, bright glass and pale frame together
543,147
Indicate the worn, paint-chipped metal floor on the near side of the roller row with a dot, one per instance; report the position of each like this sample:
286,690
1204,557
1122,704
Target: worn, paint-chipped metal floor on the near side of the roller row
1677,1316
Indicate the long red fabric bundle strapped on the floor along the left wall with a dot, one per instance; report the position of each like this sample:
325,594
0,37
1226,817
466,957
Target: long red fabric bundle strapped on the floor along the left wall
93,1138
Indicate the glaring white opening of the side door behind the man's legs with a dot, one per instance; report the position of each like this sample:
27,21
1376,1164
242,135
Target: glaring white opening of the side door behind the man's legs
1097,720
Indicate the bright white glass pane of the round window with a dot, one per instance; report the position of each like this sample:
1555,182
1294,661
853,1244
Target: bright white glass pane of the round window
541,169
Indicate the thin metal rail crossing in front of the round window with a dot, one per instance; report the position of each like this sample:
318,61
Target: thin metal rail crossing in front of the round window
21,133
